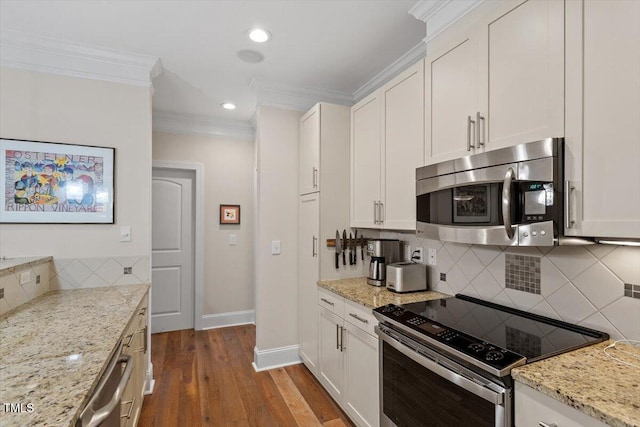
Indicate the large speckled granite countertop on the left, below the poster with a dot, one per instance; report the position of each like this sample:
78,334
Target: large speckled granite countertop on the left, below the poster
55,347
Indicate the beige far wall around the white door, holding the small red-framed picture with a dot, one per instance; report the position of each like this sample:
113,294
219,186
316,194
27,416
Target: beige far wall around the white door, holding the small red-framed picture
228,179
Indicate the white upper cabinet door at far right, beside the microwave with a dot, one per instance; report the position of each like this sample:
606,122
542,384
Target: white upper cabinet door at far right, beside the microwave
603,107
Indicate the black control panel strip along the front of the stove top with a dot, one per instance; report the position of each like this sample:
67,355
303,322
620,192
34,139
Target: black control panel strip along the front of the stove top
483,351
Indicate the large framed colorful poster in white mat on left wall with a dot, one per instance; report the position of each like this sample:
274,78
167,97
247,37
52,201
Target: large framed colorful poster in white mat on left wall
47,182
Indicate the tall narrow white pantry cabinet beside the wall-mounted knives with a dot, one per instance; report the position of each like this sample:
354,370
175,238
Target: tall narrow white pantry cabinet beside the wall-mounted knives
324,164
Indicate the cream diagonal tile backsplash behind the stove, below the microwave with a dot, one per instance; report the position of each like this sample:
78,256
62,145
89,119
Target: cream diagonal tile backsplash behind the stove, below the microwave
593,285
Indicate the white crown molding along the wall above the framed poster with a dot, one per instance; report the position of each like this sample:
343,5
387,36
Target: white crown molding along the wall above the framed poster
48,55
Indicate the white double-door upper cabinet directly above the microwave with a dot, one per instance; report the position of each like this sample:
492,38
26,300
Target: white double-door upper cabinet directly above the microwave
495,79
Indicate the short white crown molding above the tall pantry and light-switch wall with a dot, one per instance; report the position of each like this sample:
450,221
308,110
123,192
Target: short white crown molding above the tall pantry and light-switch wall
299,98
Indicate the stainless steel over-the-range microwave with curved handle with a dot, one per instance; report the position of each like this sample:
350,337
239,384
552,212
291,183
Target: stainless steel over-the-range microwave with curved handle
512,196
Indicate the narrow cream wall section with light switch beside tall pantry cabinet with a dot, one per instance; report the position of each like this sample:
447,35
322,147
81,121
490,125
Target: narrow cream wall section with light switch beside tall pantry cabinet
277,219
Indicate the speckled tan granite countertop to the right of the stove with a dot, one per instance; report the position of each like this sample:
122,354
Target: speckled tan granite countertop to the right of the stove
592,382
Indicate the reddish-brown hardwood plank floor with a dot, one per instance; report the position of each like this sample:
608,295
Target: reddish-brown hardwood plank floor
205,378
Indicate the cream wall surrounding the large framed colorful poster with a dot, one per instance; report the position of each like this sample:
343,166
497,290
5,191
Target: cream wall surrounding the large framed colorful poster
53,108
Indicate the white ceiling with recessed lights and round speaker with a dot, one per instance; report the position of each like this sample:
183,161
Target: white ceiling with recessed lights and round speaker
331,45
